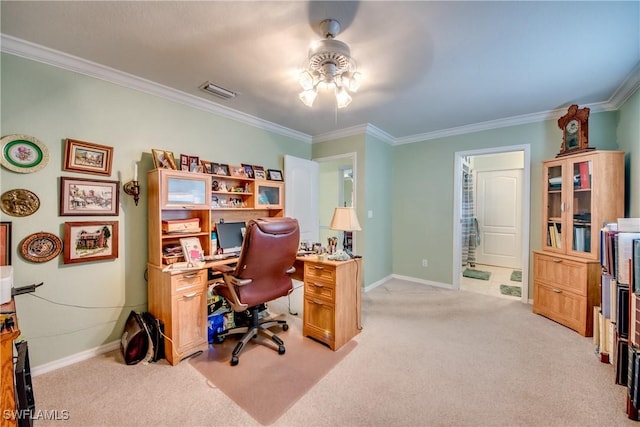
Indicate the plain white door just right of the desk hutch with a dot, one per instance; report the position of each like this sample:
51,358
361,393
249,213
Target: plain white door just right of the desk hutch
301,195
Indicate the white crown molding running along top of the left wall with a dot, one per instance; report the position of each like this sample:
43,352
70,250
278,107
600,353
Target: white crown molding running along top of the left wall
32,51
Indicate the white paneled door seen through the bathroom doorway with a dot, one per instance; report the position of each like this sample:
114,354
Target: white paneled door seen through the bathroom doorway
499,215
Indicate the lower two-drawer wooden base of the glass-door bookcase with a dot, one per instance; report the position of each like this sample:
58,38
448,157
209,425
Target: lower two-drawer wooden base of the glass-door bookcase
566,289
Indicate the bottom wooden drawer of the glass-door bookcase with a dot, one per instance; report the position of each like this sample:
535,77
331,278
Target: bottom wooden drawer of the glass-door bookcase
563,306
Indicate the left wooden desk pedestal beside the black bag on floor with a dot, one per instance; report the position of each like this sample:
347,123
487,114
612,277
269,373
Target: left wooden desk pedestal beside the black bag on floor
180,301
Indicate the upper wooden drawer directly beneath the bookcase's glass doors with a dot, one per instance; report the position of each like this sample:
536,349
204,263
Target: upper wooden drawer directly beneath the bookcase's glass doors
561,273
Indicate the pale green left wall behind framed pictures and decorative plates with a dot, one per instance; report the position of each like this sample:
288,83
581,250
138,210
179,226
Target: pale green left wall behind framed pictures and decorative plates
83,306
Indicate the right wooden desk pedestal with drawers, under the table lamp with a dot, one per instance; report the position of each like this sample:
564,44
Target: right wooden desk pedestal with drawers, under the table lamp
332,301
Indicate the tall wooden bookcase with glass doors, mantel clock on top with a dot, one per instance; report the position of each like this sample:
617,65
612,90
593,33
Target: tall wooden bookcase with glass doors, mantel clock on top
580,193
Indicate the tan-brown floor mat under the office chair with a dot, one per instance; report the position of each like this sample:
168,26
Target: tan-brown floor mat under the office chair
264,383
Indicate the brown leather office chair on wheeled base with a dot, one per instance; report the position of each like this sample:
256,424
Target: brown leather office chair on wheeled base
262,274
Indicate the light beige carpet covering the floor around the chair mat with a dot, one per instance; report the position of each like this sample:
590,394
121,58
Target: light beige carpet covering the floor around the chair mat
426,357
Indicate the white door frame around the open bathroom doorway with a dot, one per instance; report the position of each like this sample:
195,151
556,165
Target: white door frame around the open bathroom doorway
526,211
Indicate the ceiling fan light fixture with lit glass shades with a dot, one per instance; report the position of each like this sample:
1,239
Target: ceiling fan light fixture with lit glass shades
330,63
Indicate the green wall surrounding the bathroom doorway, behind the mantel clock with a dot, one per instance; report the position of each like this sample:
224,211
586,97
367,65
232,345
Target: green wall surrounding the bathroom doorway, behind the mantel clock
423,181
